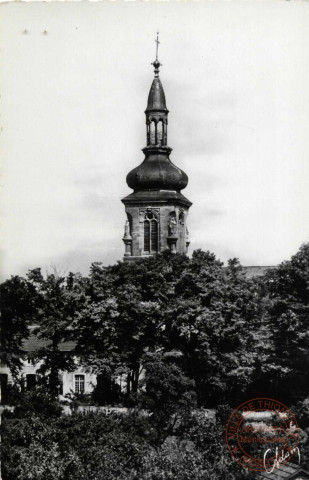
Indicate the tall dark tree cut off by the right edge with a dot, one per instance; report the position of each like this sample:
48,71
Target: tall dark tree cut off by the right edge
287,290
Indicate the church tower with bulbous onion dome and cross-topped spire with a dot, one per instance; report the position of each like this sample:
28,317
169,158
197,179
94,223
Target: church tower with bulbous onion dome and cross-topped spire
156,211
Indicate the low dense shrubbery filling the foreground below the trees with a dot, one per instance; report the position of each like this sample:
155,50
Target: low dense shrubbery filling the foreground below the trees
97,446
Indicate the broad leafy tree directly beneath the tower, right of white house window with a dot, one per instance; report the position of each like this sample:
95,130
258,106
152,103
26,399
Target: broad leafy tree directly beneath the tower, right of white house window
124,317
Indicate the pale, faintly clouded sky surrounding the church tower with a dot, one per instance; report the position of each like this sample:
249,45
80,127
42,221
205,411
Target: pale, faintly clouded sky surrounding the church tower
236,78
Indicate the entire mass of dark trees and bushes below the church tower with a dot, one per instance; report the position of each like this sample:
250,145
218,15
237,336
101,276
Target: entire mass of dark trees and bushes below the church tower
184,333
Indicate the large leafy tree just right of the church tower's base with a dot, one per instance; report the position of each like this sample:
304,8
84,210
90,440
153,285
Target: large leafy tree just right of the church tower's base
217,322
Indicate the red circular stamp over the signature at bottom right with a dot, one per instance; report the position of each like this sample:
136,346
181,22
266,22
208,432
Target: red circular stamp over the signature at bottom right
262,434
